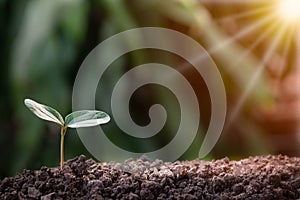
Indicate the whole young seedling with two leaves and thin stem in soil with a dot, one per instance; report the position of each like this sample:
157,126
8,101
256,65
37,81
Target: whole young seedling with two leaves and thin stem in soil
77,119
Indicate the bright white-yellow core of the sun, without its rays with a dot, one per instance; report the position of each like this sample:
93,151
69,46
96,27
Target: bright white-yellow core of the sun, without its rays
289,10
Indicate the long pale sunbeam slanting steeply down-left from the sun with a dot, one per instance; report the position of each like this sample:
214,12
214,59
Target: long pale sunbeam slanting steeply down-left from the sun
253,79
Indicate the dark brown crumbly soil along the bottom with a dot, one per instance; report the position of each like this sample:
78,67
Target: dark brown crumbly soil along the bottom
263,177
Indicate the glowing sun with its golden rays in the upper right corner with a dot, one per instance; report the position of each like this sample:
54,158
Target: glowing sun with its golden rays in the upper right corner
276,24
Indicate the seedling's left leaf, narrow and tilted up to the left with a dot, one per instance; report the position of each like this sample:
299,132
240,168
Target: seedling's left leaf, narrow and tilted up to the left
44,112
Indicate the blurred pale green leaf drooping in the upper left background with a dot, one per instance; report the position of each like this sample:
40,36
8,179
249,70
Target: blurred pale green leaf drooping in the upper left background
40,20
